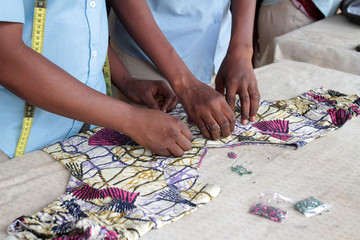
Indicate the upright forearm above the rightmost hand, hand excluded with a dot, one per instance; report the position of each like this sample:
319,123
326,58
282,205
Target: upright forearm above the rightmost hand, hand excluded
243,16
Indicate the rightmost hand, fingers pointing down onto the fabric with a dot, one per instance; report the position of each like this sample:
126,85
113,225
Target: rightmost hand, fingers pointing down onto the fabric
236,75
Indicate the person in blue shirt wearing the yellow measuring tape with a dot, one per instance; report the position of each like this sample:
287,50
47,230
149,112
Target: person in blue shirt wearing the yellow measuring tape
66,83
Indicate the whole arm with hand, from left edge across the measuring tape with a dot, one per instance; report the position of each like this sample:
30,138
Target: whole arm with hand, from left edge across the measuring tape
35,79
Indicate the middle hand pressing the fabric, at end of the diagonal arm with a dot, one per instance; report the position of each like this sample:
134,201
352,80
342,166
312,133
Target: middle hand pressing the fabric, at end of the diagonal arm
207,109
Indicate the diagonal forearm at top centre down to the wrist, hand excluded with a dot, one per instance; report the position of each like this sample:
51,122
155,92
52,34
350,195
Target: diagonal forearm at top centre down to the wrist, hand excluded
138,20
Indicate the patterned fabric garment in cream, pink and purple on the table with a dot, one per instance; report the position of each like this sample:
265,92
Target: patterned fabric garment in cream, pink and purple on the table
122,192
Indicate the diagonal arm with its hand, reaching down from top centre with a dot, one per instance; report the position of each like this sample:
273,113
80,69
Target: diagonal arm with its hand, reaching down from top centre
206,107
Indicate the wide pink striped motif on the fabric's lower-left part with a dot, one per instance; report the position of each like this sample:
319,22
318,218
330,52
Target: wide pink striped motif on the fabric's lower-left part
86,192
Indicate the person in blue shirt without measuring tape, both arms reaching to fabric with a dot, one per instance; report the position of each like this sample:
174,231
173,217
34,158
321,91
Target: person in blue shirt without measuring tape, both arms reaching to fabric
187,41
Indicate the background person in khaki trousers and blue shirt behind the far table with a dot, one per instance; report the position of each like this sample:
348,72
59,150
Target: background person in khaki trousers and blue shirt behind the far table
277,17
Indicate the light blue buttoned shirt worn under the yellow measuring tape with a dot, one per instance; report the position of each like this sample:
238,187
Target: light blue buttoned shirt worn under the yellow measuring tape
76,38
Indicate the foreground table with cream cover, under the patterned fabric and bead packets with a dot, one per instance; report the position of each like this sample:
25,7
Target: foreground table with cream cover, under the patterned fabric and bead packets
327,168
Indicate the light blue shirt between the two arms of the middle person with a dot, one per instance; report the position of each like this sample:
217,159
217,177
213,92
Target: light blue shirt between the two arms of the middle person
198,30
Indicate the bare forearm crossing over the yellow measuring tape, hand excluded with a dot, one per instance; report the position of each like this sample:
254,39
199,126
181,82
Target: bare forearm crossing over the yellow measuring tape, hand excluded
35,79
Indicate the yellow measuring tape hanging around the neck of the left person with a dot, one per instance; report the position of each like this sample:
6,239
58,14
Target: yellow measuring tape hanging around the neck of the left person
37,45
